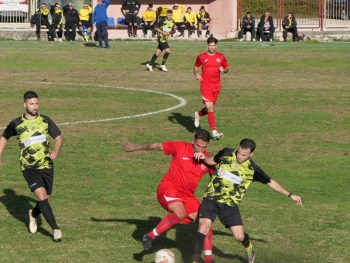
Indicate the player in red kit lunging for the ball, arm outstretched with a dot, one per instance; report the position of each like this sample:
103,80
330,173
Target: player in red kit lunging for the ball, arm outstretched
175,192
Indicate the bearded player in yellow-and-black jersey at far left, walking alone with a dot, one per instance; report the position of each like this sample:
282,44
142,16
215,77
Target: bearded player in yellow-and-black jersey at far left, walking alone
32,130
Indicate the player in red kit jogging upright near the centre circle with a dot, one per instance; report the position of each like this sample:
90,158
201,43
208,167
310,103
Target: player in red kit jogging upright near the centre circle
213,63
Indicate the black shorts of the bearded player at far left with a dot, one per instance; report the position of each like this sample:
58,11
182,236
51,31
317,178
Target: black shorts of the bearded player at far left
39,178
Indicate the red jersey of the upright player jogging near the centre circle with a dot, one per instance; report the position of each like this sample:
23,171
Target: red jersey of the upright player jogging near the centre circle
210,69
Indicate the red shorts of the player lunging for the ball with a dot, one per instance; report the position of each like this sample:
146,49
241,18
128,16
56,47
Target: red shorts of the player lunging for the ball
168,194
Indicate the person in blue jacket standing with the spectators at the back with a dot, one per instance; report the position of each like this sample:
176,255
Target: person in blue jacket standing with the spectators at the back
100,18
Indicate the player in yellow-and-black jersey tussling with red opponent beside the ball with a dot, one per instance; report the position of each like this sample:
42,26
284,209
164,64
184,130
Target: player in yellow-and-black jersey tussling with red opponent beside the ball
234,172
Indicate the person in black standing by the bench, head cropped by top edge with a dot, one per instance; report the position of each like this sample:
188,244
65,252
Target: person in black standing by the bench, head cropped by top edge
130,9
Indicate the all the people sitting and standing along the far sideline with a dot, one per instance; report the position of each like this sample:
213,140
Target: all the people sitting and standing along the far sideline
184,19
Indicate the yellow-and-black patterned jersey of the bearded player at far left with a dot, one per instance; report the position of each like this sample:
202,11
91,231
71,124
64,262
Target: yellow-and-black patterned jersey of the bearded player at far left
33,140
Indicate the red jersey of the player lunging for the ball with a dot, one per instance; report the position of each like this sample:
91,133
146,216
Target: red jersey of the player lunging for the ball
184,171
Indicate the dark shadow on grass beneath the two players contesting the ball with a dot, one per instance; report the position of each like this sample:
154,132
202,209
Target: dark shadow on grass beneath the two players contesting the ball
184,238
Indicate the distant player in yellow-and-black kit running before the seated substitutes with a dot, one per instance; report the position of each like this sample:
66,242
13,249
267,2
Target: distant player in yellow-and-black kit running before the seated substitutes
164,29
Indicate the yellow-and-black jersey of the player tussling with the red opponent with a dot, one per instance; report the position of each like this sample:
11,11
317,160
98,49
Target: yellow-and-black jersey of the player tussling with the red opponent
232,179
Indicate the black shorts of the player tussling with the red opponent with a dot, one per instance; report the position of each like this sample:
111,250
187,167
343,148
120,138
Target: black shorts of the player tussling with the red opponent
228,215
